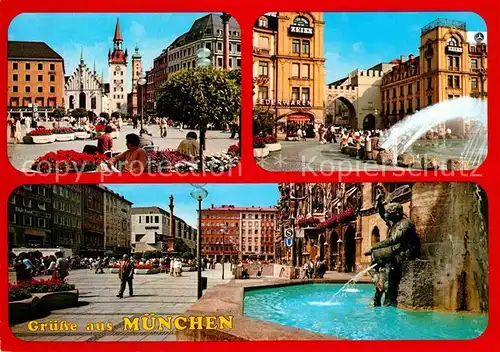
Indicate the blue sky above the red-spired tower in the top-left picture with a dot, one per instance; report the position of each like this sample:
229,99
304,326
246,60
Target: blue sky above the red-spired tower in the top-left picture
68,33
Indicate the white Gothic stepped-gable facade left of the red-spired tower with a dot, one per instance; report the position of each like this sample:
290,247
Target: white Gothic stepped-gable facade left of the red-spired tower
84,89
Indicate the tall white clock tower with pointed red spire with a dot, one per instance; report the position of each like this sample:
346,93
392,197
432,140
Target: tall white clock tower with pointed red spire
117,61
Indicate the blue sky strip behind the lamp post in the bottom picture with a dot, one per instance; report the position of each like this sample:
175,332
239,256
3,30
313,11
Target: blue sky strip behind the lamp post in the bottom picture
143,195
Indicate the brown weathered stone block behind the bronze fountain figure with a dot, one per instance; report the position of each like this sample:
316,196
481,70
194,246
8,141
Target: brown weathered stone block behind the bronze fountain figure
453,268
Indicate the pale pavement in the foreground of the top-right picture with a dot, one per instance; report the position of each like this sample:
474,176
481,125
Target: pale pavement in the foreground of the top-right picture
311,156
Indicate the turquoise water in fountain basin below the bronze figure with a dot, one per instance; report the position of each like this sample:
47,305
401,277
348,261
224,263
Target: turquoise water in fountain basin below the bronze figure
349,316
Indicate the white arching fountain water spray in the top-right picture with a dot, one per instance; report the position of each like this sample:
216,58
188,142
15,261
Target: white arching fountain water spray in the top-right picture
404,134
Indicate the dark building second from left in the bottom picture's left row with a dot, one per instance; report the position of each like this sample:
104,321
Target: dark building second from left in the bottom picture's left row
67,216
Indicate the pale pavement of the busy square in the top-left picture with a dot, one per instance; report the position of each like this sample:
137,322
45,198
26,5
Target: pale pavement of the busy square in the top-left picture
22,155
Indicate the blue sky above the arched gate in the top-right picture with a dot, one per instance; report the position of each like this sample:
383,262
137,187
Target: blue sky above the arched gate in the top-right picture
362,40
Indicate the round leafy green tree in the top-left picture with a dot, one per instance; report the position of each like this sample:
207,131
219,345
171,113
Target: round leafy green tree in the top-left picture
200,95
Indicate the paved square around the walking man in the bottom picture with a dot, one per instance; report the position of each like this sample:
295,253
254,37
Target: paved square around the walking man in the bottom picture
161,294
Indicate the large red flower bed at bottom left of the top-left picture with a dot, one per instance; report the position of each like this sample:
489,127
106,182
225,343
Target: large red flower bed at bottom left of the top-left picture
67,161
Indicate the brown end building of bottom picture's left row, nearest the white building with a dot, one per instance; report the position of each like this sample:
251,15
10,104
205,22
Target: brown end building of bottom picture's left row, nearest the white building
117,223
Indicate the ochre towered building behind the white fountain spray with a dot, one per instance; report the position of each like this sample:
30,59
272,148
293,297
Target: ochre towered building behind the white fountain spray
452,63
